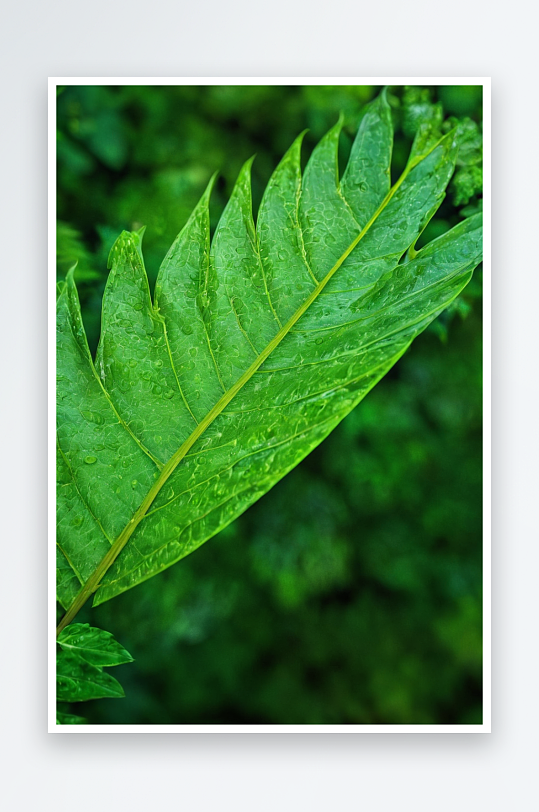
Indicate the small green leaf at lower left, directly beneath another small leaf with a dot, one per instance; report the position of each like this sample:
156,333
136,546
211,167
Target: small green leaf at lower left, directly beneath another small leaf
77,680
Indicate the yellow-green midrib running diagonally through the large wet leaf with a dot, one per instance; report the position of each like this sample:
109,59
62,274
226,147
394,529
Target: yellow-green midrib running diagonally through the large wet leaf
93,583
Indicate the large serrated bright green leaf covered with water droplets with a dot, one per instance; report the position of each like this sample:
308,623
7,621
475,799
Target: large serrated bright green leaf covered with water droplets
256,345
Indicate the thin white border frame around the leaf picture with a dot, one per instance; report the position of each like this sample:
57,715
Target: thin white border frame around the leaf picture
485,82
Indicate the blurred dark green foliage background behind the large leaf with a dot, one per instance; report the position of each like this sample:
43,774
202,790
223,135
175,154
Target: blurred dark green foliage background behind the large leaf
351,593
